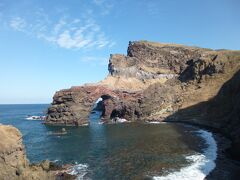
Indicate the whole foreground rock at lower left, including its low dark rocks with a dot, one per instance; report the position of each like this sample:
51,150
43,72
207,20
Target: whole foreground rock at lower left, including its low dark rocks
14,164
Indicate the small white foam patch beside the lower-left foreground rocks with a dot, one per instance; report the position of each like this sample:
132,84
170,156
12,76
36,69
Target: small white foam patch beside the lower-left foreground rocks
79,170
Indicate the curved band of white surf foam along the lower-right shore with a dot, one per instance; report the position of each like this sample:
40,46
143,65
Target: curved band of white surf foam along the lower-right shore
202,164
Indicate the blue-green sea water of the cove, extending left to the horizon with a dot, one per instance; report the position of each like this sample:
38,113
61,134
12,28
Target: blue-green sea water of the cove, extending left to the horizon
116,151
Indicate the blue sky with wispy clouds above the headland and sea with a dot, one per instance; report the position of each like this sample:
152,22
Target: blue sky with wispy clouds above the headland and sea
48,45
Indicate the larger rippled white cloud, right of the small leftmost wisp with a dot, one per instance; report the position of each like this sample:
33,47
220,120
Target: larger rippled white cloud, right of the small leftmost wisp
76,34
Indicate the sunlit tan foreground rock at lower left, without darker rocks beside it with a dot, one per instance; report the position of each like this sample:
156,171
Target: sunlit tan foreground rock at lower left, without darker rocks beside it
13,161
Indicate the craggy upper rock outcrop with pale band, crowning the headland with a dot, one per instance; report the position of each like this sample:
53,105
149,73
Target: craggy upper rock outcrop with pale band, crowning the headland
147,60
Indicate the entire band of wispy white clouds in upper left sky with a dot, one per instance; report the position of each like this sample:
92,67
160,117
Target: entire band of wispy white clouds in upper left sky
66,33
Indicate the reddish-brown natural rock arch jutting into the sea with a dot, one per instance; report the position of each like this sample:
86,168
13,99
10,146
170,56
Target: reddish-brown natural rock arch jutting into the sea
73,106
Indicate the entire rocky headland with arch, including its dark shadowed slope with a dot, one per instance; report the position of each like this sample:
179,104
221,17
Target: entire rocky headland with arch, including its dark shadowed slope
157,82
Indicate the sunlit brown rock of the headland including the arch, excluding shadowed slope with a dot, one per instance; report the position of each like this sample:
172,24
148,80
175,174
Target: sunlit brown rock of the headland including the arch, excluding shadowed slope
152,82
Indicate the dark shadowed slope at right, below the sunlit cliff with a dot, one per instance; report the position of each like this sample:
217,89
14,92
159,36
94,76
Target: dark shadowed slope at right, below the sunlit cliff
221,112
